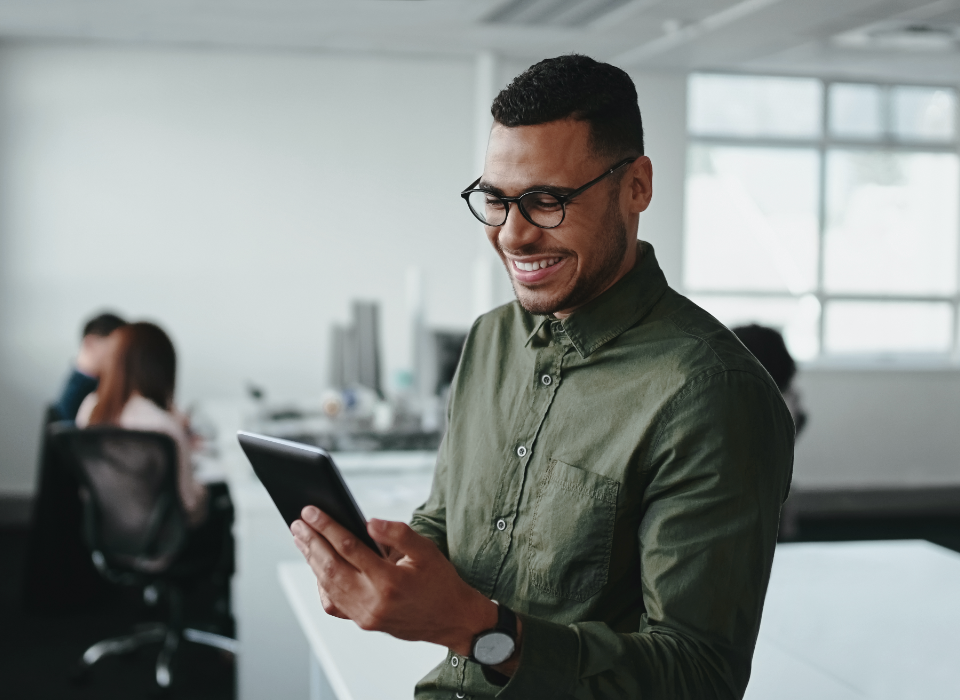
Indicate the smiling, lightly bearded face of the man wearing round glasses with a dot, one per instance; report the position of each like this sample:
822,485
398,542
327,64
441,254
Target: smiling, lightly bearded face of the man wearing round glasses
557,270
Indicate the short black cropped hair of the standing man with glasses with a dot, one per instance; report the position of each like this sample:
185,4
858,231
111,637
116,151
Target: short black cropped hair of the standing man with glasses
576,87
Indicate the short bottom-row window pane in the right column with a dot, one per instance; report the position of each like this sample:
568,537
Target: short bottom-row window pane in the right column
863,327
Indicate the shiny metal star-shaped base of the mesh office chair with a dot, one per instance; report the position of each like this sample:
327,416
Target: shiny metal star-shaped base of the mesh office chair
150,634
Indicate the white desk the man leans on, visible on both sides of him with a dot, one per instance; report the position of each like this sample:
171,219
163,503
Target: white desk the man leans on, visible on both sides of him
842,621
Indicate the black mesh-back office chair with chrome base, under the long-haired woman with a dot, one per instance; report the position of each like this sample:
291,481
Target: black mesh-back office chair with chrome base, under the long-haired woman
135,528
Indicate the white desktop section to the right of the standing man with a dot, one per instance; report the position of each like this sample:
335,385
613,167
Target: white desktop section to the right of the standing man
878,620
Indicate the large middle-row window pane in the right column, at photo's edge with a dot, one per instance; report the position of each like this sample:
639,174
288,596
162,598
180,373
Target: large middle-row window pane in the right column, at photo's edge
891,222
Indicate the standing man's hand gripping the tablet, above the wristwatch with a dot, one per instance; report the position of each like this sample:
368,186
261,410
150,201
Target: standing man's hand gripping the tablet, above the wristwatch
414,593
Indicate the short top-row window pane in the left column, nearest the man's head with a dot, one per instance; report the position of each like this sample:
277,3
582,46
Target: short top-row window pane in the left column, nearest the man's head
738,105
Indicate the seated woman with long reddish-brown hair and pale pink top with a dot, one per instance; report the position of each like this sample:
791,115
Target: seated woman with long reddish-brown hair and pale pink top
136,392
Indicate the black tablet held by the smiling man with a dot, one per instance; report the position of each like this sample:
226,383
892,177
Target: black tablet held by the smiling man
297,475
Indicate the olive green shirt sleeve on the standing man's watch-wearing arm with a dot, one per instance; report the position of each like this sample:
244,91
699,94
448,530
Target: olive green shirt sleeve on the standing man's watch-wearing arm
718,471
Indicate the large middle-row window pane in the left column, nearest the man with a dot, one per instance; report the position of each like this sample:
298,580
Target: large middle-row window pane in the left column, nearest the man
751,219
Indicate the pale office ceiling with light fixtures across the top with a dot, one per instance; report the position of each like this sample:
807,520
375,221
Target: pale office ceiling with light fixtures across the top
913,40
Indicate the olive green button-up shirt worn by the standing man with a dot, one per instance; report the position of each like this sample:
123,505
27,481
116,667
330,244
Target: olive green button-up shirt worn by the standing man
616,479
